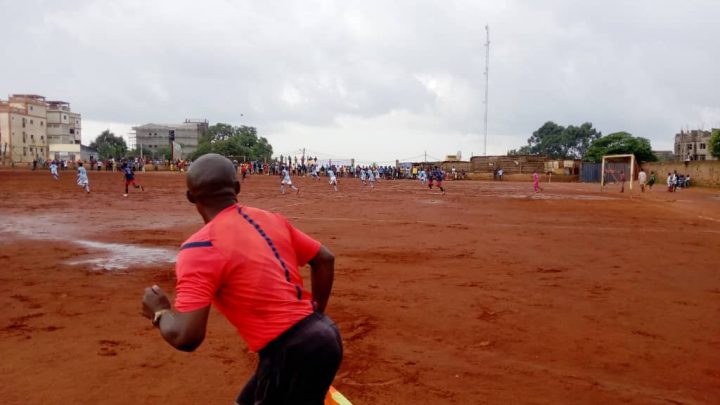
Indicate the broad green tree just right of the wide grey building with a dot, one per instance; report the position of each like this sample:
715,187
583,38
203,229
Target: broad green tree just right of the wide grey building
233,141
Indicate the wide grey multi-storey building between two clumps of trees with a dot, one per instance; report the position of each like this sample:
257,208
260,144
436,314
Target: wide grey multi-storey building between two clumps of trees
155,136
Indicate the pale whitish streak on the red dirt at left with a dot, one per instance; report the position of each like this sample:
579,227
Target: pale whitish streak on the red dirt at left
108,256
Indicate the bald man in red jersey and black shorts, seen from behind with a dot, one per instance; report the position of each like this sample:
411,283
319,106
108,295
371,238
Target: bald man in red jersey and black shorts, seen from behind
245,261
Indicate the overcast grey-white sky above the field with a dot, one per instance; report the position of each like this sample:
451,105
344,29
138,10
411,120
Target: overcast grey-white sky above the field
374,80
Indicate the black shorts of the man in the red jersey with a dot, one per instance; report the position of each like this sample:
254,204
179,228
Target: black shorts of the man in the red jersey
298,366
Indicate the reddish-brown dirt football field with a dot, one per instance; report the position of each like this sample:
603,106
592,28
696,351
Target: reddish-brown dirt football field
489,294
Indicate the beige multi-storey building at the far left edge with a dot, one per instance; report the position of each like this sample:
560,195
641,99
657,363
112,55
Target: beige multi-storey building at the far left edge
23,129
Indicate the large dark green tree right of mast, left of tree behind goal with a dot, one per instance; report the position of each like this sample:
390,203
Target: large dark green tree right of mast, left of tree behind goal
558,142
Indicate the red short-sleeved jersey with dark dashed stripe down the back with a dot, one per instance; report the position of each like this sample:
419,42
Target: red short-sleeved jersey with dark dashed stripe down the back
246,262
